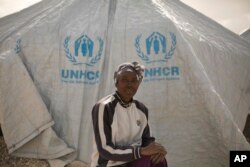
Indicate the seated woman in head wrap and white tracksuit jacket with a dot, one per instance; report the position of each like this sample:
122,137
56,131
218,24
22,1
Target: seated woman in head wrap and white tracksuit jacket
122,134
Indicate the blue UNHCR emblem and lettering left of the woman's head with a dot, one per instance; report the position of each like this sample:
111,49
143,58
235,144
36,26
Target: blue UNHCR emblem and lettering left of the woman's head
84,52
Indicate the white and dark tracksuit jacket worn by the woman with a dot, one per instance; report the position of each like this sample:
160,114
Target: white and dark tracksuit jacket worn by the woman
120,131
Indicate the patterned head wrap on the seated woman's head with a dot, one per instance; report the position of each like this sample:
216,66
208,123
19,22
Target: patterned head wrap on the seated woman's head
132,67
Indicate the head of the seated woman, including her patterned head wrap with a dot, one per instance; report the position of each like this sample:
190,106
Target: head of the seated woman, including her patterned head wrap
127,79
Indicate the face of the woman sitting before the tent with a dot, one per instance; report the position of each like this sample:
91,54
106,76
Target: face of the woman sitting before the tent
127,85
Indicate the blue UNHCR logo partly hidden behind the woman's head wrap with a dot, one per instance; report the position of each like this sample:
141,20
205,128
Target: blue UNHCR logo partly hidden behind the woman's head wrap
156,50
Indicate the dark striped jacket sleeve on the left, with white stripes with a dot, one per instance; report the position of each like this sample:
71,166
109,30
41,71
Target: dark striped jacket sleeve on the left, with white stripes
102,117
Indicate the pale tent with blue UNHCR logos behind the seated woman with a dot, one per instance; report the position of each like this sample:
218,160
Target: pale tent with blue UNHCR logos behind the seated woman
57,60
